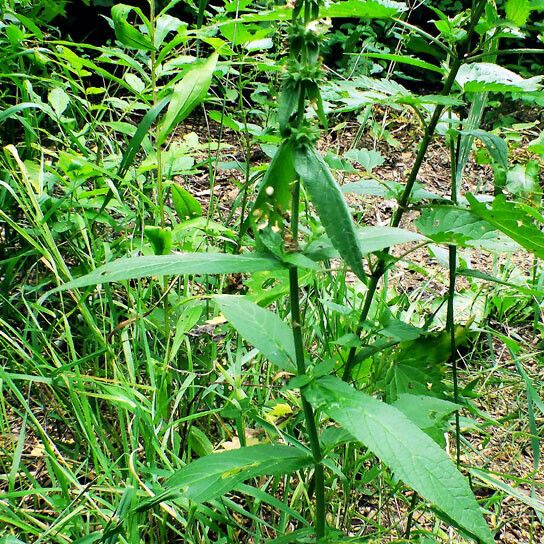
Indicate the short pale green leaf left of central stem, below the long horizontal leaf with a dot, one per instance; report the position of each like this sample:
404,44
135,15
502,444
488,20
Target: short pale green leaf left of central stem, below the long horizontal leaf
261,328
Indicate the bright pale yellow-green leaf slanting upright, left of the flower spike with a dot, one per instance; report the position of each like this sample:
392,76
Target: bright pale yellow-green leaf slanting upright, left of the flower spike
188,94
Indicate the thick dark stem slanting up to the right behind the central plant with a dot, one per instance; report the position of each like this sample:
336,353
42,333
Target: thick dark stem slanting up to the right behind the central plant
380,267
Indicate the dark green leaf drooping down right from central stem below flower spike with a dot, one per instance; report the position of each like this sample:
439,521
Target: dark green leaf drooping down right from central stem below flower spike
331,207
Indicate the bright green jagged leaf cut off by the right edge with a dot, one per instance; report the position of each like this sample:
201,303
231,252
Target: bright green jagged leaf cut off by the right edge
513,220
